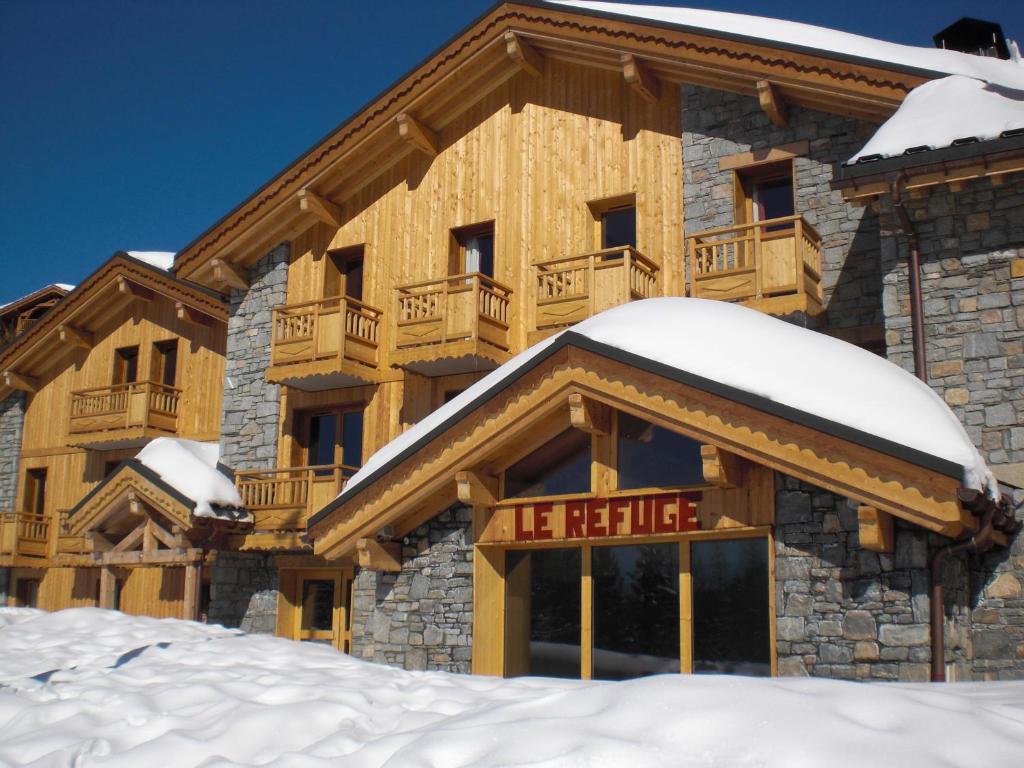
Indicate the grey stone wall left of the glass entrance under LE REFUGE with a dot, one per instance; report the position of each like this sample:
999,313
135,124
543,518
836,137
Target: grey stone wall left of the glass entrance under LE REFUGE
421,618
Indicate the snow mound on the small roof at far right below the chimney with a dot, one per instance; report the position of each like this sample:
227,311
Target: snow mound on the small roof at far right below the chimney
945,112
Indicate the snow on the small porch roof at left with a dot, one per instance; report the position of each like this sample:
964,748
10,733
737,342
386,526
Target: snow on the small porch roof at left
191,468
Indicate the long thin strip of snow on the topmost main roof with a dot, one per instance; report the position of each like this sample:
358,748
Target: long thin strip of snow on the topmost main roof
1007,73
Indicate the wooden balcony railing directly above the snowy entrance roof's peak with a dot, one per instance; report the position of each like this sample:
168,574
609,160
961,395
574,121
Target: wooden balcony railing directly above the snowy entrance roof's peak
574,288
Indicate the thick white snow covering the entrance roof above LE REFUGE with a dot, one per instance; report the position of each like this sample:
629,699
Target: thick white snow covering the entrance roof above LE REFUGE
753,353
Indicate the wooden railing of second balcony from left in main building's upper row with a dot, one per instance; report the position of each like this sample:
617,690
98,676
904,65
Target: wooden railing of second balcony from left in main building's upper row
470,308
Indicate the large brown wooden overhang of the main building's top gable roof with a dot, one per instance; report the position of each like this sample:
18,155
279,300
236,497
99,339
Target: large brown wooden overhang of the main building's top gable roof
491,52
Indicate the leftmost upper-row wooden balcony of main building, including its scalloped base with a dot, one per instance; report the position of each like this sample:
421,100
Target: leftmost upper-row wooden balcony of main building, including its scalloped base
325,345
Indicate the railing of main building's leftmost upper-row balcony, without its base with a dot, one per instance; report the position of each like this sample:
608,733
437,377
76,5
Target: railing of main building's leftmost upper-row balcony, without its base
333,330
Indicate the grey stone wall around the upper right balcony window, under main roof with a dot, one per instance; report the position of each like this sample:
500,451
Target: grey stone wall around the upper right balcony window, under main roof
717,123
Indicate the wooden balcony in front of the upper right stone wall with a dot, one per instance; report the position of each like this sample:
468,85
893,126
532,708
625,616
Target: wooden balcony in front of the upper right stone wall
774,266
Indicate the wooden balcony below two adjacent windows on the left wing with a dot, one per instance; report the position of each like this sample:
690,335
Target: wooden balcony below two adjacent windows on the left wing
122,415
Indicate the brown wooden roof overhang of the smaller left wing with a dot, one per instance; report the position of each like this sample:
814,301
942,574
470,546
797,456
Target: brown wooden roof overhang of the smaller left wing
70,325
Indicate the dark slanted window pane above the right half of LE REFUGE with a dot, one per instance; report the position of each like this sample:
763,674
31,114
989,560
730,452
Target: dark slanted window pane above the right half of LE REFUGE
653,457
